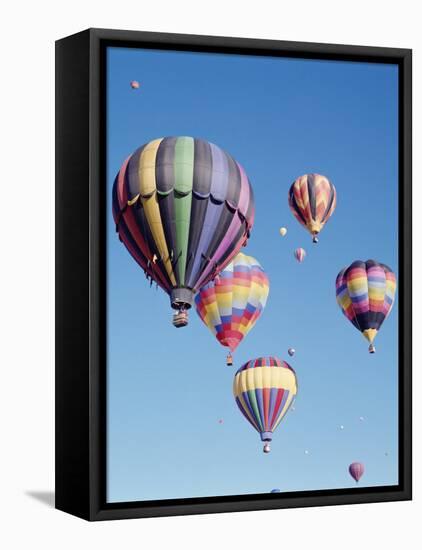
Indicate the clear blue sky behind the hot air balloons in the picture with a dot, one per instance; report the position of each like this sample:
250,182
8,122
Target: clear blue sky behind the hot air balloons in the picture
168,388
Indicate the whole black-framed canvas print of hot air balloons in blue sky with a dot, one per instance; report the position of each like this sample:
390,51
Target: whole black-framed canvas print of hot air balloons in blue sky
233,274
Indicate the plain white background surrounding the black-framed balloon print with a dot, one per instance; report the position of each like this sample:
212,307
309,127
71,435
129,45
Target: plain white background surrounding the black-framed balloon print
27,272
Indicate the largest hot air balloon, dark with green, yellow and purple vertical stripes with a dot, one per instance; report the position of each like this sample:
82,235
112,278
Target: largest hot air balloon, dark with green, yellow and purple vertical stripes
183,208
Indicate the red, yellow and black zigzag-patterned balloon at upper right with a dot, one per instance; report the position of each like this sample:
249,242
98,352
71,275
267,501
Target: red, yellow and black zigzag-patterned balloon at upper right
312,200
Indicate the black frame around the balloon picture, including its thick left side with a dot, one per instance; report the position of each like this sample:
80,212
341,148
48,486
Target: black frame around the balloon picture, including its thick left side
81,278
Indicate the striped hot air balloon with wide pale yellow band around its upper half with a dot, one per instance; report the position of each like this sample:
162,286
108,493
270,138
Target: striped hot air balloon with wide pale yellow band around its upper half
264,389
